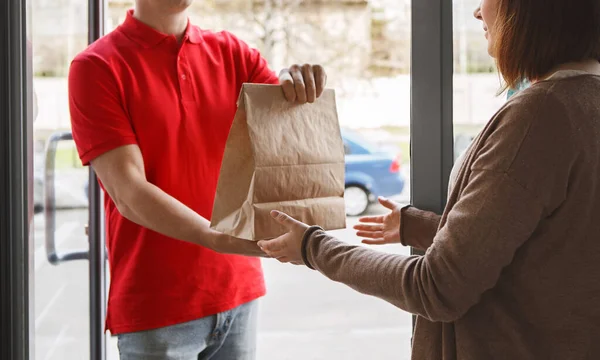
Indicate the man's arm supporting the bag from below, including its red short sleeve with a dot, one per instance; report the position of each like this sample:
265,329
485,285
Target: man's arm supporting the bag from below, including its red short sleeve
106,140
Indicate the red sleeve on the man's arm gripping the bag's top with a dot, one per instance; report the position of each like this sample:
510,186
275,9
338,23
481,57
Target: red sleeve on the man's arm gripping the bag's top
254,65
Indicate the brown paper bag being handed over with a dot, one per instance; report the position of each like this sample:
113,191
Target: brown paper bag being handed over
282,156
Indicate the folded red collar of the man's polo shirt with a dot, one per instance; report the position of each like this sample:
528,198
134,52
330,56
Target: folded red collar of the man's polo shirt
149,37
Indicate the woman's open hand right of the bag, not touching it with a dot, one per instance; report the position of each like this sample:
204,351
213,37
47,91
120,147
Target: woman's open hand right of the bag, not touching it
382,229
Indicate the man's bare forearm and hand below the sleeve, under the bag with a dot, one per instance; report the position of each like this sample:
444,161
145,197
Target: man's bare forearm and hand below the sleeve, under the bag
122,173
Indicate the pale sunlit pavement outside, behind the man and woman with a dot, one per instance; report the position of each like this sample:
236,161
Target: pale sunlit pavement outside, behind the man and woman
304,315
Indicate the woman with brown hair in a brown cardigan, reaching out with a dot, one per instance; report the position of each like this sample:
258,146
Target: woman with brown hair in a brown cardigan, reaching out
512,267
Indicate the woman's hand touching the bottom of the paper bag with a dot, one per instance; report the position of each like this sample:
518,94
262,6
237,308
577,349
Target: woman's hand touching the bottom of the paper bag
287,247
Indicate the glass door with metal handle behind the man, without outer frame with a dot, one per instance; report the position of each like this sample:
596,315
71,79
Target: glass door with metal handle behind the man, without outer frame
69,254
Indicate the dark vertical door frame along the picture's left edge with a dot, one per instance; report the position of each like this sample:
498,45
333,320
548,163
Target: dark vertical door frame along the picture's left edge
16,187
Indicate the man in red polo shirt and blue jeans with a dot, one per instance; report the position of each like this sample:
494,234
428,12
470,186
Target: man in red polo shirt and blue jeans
151,107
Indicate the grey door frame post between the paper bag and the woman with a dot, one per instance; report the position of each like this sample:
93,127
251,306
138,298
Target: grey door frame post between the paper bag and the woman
431,124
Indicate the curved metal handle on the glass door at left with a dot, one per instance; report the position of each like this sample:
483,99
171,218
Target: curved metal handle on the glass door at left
50,202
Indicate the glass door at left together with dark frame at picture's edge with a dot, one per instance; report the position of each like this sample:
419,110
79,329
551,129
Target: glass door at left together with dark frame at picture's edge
52,269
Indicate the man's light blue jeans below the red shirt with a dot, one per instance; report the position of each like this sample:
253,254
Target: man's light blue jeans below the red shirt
230,335
